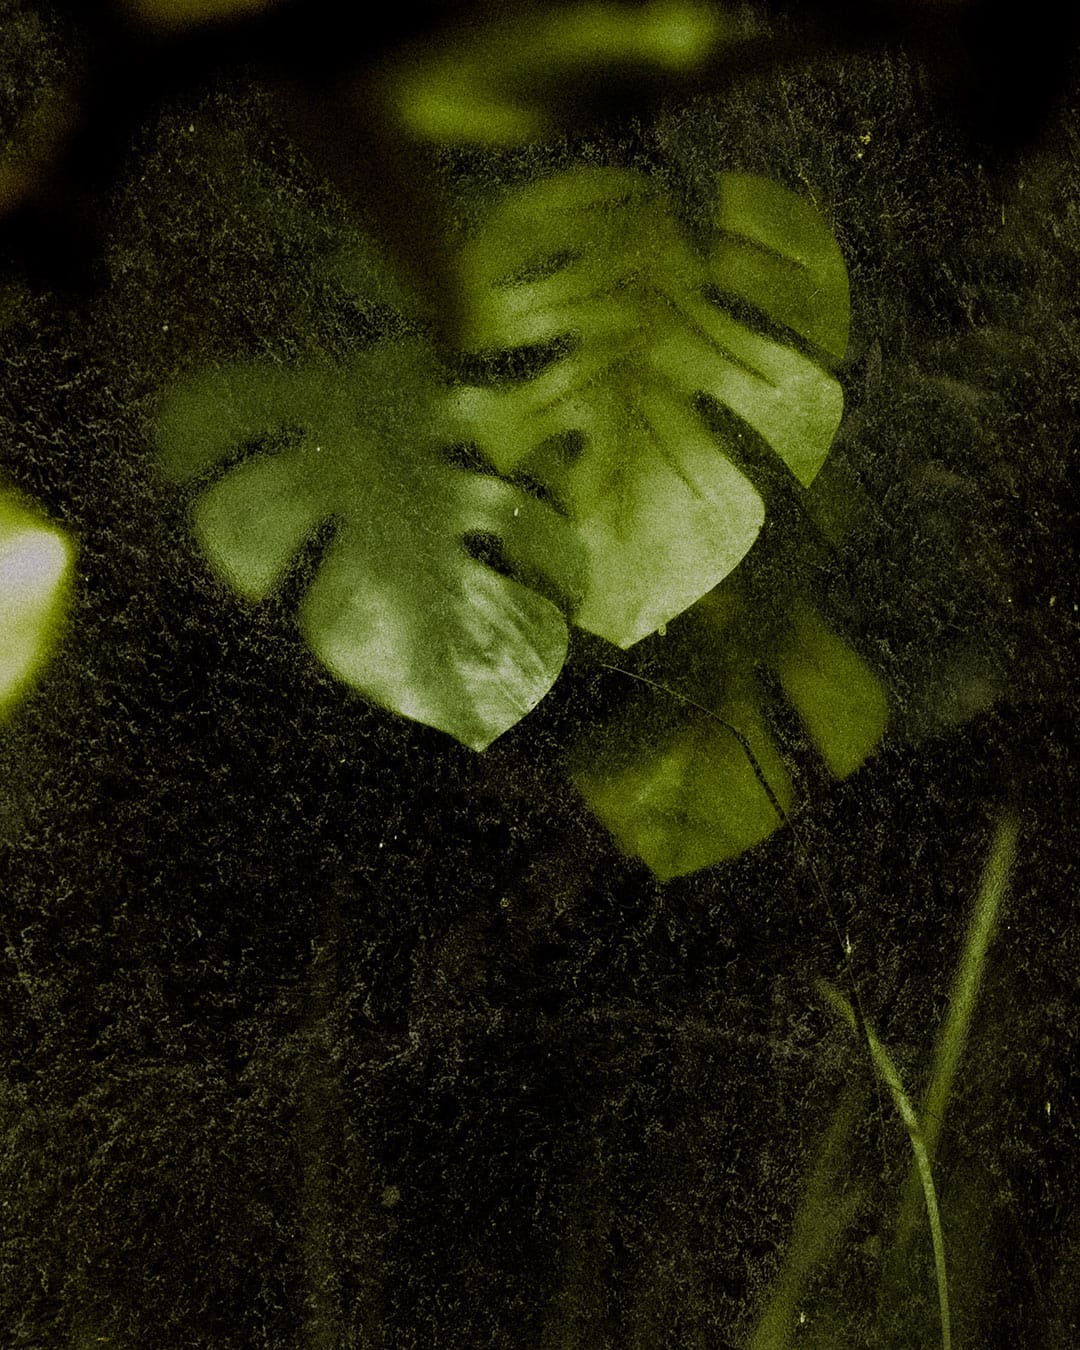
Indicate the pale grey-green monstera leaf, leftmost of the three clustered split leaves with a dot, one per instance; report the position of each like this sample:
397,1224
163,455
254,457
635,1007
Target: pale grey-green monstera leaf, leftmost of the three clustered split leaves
429,599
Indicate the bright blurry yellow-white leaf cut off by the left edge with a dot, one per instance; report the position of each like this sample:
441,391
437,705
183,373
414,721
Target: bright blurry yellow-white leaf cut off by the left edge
36,570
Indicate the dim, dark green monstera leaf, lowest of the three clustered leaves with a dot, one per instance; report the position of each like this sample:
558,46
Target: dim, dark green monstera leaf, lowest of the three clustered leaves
686,785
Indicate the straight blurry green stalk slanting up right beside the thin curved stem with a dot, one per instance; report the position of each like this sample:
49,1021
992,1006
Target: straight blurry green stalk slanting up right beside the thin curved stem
956,1027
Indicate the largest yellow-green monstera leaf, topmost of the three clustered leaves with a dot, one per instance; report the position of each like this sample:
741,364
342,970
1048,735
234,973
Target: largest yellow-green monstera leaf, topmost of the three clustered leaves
591,265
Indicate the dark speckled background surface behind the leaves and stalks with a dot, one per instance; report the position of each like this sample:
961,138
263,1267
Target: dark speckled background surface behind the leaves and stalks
318,1029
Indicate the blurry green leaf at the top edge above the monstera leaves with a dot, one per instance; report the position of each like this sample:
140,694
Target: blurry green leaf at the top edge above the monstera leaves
519,79
